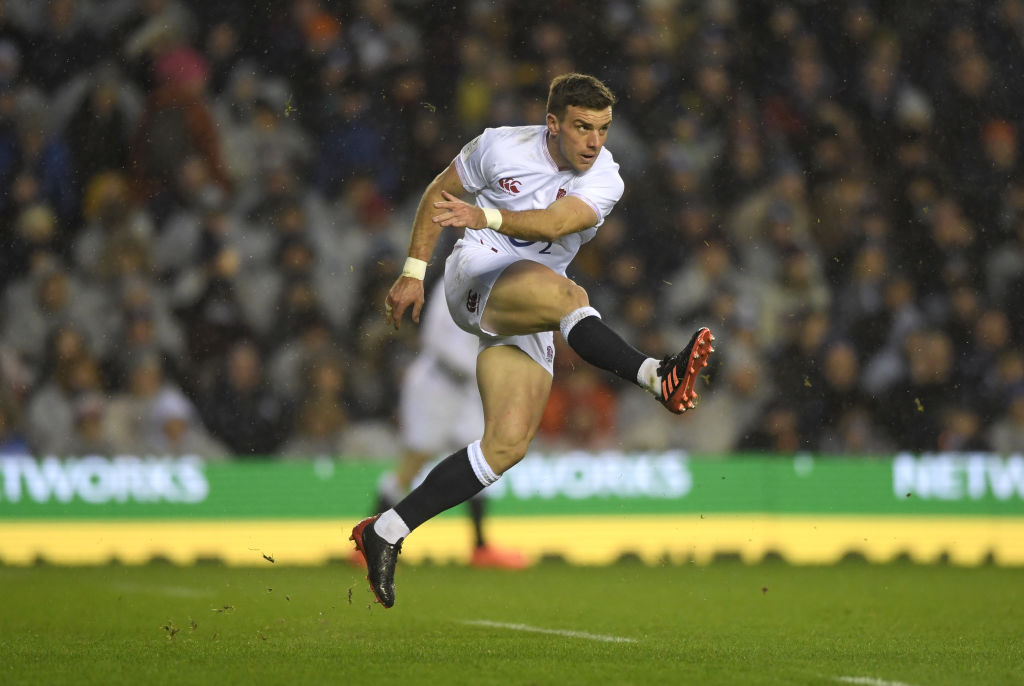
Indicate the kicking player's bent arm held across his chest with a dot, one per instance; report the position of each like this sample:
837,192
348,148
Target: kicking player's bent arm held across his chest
567,216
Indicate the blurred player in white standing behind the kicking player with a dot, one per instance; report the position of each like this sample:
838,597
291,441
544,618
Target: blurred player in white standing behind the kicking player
440,412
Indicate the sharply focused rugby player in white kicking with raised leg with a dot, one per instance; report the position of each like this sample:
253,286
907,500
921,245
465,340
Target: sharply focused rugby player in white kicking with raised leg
540,192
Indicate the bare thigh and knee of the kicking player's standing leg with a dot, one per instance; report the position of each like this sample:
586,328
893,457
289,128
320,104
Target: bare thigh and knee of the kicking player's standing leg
515,391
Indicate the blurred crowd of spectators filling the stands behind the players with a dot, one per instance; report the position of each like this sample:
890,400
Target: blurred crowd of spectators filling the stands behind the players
203,205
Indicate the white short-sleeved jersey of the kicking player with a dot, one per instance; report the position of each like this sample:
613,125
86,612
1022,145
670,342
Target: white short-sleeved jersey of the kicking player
510,168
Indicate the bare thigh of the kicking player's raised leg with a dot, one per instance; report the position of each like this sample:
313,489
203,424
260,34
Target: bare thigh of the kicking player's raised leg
530,297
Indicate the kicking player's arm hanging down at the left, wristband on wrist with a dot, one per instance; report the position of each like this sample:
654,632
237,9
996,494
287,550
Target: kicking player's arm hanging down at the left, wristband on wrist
408,291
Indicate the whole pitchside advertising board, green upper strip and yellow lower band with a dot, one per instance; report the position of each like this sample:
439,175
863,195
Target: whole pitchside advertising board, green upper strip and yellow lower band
589,508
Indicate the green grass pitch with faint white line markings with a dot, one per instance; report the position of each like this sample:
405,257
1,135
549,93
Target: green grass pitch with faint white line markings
626,624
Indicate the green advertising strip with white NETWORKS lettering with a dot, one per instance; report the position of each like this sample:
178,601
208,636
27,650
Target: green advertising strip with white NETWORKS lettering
542,485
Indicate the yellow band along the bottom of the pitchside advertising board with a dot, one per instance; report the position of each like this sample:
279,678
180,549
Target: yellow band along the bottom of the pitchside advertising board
580,540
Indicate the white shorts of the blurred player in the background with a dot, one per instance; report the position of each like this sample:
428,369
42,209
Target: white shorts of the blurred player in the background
439,412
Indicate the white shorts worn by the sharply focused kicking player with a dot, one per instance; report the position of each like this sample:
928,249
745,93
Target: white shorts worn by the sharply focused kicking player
471,273
